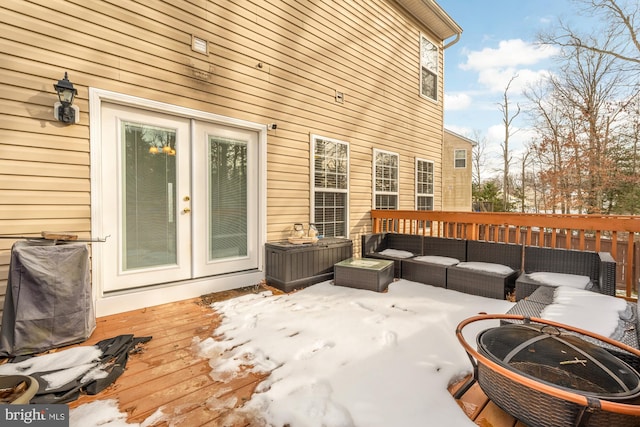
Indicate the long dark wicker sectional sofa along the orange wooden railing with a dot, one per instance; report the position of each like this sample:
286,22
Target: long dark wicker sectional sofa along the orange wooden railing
516,270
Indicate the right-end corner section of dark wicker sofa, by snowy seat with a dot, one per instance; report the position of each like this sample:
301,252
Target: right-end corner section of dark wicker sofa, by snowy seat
600,267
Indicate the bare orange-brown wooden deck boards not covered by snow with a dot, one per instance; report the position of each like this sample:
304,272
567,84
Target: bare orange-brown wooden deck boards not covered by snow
168,376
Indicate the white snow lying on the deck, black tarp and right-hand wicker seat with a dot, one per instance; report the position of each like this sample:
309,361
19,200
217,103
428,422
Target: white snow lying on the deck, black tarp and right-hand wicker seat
337,356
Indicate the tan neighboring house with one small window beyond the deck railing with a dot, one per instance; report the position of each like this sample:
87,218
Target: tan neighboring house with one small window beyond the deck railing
456,172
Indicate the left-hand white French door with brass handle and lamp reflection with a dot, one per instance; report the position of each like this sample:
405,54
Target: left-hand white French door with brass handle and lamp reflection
145,197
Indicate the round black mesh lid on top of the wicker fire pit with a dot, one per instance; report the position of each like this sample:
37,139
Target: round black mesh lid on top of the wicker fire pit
560,359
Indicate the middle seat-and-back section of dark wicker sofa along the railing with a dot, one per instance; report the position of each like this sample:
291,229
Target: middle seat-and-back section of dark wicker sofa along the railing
433,272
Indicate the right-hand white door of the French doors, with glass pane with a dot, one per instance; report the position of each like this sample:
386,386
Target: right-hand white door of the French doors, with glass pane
225,199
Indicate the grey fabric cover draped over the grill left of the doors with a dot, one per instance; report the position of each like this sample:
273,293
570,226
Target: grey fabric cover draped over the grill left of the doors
48,302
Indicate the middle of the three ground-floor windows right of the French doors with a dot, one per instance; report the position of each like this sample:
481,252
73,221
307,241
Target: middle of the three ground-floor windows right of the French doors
385,178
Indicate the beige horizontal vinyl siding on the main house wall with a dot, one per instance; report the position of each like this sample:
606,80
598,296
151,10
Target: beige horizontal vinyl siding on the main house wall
268,62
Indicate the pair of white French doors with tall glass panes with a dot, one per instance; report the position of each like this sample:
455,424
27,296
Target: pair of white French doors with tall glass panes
179,198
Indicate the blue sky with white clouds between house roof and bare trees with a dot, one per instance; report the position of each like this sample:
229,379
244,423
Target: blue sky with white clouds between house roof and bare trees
498,43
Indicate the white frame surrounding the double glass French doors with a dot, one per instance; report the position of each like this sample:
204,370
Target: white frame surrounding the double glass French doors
116,302
